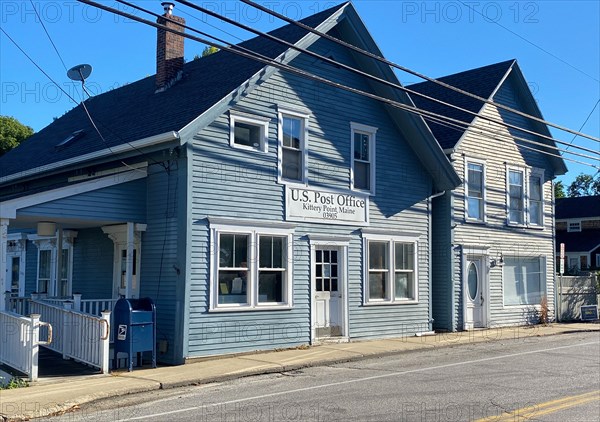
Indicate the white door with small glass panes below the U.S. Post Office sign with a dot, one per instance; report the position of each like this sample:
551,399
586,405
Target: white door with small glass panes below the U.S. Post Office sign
327,290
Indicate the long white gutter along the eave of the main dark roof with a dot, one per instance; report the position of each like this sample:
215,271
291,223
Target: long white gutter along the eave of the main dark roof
142,143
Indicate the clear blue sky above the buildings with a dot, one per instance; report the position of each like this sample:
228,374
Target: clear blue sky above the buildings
557,44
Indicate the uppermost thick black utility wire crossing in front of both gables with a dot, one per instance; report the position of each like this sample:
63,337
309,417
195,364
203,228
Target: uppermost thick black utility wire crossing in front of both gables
412,72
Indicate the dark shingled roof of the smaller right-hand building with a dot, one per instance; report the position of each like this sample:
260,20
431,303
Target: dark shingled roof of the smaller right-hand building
481,81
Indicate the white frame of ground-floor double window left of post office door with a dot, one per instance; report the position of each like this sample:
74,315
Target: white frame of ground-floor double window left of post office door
254,233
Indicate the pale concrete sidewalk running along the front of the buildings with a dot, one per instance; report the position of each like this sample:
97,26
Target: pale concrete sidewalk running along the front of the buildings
52,396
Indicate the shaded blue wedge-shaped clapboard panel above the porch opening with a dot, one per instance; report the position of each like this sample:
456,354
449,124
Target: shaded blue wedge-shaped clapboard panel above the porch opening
124,202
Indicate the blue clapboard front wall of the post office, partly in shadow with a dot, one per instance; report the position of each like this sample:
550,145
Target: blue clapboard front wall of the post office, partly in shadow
230,182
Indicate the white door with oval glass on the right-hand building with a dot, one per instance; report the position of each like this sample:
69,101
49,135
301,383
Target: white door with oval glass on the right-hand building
474,291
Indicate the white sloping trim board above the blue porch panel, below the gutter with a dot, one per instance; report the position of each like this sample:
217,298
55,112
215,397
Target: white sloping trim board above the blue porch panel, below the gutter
9,208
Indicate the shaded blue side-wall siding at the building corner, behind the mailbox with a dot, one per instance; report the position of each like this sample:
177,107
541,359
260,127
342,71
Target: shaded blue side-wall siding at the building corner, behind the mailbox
160,258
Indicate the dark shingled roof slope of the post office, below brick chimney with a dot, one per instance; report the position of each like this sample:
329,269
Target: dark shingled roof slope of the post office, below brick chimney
135,112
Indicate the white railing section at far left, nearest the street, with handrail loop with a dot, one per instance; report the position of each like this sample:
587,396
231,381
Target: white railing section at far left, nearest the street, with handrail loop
19,342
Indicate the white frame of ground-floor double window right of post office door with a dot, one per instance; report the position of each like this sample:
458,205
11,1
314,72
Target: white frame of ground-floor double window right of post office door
391,241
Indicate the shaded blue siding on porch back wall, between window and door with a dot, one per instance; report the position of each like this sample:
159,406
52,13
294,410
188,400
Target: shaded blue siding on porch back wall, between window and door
93,254
